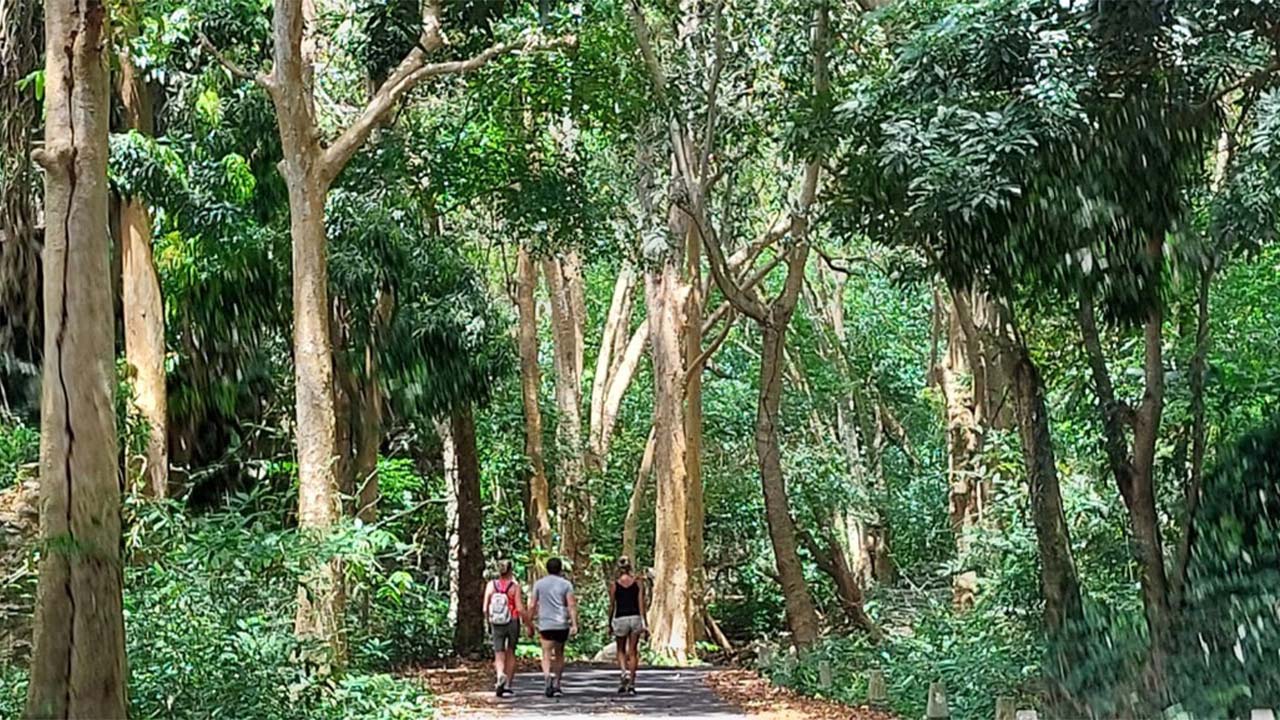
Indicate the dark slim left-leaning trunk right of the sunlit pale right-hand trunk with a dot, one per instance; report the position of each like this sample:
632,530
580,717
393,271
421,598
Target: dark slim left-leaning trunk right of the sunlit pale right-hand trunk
1059,582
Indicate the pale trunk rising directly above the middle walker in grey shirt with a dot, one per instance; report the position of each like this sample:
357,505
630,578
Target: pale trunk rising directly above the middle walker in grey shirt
566,334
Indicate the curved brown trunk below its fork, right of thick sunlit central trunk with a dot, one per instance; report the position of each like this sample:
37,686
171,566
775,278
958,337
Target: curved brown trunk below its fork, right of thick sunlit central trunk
802,616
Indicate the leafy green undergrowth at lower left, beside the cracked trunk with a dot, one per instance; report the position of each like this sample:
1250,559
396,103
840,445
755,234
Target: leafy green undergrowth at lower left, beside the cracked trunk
209,619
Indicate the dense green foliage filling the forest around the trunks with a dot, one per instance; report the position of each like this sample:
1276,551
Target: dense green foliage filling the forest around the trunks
1100,179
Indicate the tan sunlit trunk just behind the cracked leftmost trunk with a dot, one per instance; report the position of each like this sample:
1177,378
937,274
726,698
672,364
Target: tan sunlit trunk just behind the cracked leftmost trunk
144,307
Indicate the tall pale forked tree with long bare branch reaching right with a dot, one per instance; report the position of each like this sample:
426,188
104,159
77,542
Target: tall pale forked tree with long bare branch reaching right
309,168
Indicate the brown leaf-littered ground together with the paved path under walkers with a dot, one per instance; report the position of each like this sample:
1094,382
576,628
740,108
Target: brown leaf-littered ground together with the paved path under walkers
465,692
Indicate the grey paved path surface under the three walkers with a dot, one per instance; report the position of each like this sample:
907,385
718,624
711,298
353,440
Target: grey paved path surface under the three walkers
592,694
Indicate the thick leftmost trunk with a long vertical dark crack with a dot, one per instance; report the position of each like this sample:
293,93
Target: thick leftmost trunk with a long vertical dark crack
77,668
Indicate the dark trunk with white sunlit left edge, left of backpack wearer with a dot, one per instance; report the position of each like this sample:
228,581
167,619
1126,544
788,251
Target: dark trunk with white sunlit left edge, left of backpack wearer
467,541
